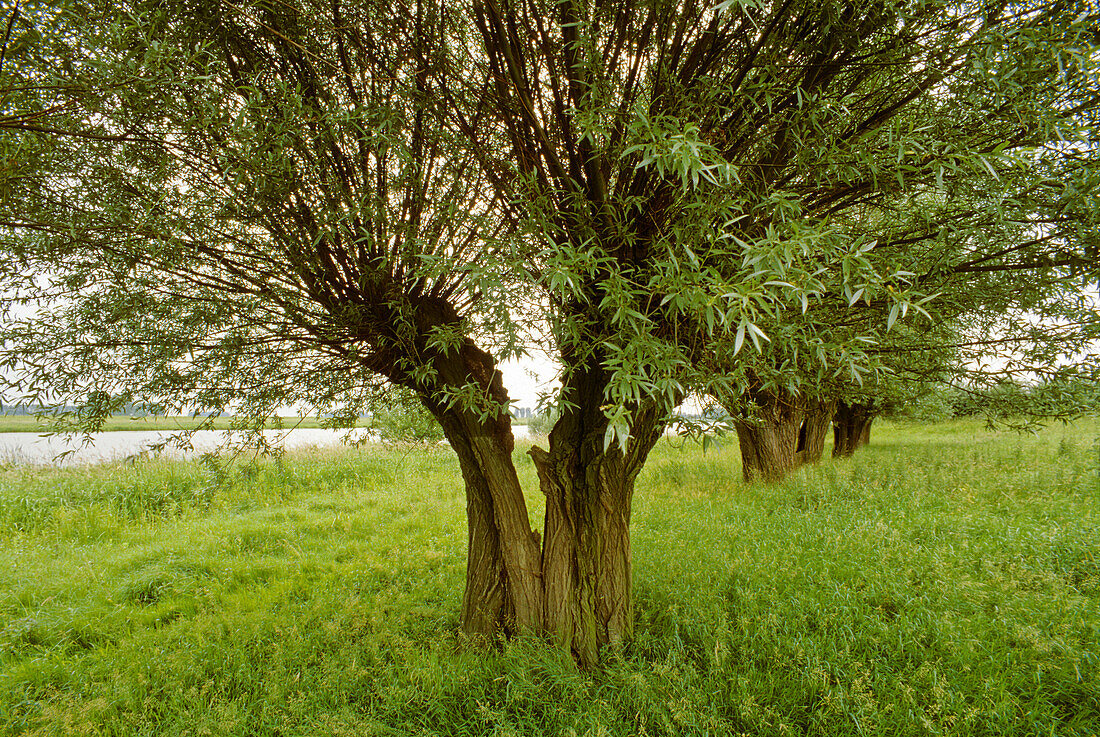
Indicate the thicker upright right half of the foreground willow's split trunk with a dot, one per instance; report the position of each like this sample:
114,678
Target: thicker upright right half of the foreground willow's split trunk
587,568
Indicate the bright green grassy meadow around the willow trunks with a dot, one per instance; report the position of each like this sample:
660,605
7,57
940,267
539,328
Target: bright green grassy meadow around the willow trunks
945,581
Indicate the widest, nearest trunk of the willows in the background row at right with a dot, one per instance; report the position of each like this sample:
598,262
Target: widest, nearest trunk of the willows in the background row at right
769,441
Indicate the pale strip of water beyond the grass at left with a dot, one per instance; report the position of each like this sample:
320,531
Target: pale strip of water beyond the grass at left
34,449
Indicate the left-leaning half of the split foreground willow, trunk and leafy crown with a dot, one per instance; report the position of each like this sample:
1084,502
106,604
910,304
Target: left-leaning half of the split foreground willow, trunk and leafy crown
223,207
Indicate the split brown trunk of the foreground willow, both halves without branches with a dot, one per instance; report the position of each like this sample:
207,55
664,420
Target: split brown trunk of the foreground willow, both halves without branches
577,586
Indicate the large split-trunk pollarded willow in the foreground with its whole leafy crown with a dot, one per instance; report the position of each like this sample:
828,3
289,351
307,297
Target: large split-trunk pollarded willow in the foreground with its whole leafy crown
212,206
